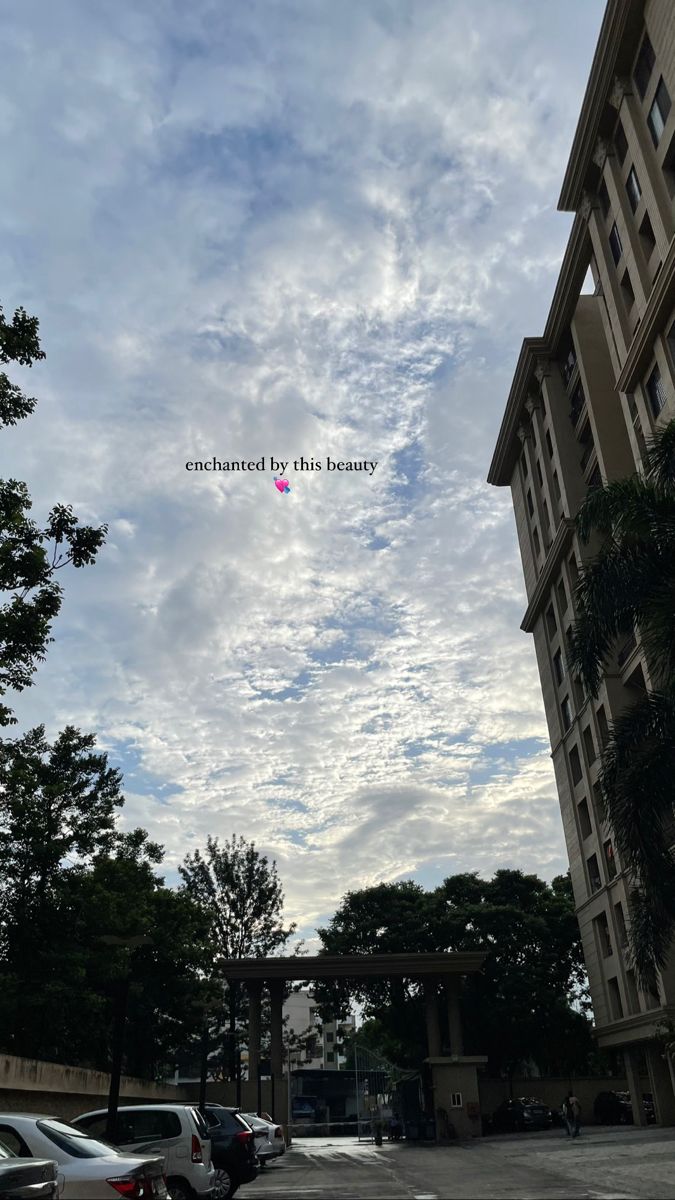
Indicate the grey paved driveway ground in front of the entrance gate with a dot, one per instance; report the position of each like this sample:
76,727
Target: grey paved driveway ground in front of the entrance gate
602,1163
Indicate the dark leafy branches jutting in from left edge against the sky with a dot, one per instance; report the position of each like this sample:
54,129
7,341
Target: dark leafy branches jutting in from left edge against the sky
31,555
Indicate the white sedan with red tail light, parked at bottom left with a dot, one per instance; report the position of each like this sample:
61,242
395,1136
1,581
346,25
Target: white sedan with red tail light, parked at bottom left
88,1169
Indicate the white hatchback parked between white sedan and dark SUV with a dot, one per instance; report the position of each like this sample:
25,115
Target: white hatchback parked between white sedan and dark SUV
178,1132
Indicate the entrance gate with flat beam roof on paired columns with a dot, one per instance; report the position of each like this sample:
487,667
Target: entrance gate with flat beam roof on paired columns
453,1076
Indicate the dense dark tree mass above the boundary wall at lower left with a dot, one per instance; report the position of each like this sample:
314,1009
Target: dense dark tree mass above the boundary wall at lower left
69,879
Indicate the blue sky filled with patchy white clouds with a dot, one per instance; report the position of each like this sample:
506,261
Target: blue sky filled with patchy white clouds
277,230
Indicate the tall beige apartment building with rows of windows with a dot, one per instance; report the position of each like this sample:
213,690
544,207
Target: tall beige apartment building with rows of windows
584,399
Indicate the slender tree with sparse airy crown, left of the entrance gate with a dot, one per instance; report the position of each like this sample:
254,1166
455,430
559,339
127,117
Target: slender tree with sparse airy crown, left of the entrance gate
241,897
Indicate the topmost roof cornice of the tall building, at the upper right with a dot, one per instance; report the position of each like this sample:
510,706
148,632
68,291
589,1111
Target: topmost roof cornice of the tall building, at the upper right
617,45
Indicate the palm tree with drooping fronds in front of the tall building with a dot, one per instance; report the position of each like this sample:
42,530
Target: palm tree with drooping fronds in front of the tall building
630,586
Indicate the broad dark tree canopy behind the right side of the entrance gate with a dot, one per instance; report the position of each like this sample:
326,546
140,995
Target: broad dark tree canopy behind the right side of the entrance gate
527,1004
